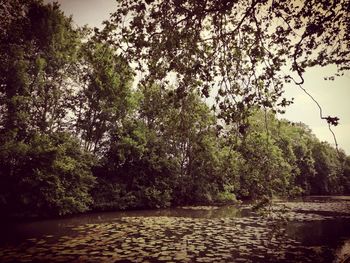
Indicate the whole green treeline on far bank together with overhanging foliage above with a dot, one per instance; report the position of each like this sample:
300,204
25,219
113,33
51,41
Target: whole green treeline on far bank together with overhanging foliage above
80,130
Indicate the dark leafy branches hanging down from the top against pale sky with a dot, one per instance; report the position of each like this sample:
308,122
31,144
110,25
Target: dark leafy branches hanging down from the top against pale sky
239,48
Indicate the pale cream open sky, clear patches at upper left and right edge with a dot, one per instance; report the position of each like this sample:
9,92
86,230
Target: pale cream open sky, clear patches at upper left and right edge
333,96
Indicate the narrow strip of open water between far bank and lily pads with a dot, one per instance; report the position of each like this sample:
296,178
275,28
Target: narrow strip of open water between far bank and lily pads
13,233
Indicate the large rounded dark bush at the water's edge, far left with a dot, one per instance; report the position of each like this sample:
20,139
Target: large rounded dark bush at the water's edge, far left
47,175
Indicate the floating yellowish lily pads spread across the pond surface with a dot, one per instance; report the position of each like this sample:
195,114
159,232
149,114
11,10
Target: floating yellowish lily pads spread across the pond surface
178,239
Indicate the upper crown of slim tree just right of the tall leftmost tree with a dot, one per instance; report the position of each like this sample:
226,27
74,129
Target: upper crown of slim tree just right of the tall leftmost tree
105,94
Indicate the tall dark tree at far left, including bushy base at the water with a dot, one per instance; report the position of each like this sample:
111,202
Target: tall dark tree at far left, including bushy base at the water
43,169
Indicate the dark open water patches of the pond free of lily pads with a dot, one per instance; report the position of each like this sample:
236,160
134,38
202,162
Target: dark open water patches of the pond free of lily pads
331,233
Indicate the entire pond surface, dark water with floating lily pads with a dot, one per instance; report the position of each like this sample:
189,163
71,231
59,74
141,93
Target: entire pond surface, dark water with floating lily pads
315,229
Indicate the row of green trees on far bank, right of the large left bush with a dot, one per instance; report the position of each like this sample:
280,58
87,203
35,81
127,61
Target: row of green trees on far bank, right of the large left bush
175,154
